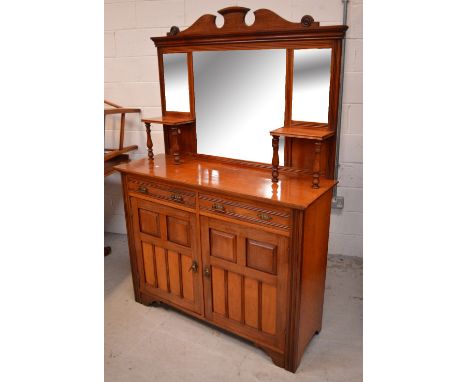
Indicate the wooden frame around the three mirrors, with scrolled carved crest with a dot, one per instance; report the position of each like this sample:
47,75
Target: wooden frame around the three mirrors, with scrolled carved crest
269,31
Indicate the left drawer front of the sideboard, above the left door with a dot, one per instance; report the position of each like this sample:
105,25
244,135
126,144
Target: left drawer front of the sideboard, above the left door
161,191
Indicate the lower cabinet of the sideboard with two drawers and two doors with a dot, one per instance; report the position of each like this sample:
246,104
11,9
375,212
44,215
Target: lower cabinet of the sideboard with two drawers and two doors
226,245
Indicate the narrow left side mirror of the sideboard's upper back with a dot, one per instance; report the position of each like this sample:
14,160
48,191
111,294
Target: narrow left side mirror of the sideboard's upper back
176,86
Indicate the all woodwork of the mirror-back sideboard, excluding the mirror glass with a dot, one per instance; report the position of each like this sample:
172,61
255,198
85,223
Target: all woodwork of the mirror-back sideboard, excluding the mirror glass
239,244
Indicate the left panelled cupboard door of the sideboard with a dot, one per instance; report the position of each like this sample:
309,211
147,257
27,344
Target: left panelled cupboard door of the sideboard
167,253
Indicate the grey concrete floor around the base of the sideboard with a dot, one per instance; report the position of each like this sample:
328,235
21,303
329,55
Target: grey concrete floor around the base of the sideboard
157,344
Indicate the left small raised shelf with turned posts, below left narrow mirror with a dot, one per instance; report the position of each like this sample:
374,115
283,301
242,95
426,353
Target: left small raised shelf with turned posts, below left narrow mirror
175,121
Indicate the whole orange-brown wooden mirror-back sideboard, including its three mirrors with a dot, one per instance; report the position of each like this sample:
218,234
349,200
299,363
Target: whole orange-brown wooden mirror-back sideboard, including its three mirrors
231,239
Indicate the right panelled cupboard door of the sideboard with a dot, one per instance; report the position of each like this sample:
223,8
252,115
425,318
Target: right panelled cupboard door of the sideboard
245,281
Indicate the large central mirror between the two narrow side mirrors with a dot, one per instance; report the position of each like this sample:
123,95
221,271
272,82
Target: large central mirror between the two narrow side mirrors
239,99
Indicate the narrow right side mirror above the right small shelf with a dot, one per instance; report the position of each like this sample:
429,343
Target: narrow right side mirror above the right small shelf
311,85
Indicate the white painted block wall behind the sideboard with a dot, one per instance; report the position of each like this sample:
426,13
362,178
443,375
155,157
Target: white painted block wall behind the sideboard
131,79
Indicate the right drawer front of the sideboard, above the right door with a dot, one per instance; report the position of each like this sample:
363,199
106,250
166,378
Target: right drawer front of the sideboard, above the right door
246,211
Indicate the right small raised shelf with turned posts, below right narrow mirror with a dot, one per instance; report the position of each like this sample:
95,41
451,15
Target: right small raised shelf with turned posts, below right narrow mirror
315,131
